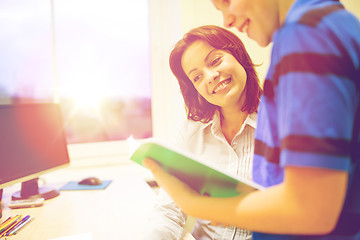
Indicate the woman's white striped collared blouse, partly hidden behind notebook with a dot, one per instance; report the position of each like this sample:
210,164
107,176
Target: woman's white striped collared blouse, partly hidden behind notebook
207,141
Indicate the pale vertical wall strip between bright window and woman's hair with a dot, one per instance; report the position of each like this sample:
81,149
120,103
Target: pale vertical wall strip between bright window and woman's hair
165,21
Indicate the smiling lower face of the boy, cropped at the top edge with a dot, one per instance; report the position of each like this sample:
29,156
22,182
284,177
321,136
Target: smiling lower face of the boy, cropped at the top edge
257,18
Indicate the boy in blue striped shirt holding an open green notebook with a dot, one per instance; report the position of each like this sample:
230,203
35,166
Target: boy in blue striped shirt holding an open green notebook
307,138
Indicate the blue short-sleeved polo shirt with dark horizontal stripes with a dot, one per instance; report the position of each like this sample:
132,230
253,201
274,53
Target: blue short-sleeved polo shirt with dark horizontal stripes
307,111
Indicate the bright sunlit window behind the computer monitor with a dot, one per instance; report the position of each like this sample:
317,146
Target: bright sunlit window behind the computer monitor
84,55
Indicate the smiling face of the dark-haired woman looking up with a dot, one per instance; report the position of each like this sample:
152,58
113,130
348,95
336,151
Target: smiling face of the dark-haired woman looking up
216,74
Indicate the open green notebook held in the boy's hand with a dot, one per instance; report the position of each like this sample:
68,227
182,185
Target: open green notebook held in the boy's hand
201,176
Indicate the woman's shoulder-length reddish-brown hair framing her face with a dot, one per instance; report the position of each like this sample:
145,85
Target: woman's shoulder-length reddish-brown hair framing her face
197,108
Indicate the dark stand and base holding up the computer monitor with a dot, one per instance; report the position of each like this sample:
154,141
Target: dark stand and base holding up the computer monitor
30,189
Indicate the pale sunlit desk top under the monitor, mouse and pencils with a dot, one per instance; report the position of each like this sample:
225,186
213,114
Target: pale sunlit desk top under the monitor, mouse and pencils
118,212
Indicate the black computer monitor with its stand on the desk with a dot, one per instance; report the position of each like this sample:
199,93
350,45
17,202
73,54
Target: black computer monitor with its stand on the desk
32,143
